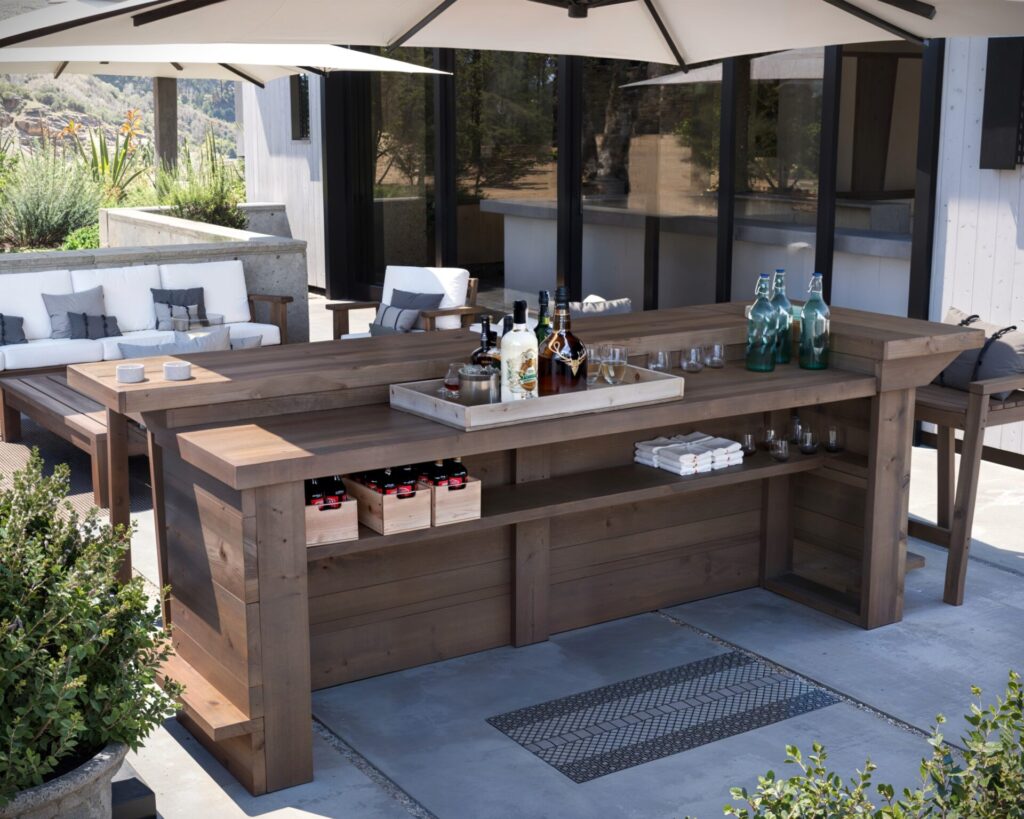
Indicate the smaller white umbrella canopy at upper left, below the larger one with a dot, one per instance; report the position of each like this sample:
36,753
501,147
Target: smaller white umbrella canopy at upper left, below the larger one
259,64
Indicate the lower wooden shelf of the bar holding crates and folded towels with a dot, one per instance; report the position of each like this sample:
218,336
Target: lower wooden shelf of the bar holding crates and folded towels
503,506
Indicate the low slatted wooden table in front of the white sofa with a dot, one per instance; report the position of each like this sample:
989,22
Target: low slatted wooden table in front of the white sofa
49,401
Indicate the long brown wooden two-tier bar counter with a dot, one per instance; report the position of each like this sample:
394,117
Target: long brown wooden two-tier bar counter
573,533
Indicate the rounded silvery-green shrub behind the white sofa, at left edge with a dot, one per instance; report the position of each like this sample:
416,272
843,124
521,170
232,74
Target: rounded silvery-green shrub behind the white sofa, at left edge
48,198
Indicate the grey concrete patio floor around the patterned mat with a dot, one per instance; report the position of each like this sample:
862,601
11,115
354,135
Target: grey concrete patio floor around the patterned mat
417,743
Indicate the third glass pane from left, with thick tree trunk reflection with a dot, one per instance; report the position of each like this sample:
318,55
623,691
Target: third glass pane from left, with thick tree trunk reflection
650,182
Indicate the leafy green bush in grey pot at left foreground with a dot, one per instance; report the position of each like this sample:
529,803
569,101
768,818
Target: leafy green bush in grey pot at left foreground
79,654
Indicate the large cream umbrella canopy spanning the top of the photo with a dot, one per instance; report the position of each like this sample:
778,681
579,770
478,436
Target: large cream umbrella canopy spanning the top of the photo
662,31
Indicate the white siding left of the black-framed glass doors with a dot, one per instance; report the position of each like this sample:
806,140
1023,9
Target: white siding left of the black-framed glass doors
282,169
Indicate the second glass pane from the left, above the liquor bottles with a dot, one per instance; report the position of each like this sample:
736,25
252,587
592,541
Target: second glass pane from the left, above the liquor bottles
506,161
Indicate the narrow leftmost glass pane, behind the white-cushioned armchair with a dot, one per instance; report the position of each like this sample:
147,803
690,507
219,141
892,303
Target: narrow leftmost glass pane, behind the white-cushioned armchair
404,184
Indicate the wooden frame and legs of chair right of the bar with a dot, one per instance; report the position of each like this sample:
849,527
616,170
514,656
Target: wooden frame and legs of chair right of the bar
973,412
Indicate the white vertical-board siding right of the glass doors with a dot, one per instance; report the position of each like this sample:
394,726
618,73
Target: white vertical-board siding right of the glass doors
979,243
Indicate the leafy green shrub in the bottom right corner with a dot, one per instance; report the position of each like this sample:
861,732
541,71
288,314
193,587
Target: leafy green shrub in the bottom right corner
986,783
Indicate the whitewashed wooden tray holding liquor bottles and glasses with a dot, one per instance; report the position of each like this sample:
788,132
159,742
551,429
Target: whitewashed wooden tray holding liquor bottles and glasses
639,387
